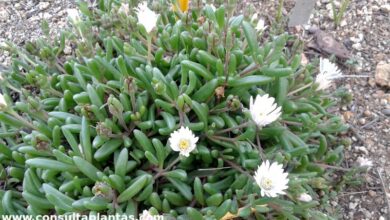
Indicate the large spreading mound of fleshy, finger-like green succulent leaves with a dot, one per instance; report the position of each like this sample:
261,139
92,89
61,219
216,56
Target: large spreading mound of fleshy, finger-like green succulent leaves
87,131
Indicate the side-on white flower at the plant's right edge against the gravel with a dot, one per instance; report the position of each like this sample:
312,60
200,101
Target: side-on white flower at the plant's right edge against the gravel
328,72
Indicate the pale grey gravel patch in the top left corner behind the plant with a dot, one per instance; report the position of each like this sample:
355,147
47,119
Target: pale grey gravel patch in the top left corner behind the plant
20,21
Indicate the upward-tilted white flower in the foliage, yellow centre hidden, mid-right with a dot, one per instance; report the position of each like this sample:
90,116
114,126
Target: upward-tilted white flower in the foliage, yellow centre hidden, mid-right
264,110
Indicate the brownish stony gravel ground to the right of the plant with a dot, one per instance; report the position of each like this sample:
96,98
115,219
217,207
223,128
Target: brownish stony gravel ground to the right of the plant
365,31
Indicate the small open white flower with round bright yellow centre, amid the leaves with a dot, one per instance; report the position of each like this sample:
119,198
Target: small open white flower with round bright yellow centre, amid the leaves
183,140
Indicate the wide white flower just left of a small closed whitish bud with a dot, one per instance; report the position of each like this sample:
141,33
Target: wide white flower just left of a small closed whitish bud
271,179
